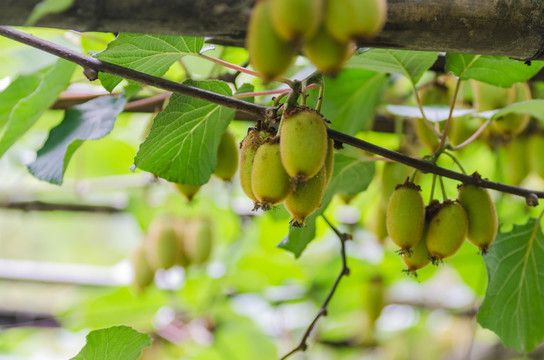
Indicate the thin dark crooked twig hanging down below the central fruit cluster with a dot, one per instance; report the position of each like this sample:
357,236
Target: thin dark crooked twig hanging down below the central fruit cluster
302,346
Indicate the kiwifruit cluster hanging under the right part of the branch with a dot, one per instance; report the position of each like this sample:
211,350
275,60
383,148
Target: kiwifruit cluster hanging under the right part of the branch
434,232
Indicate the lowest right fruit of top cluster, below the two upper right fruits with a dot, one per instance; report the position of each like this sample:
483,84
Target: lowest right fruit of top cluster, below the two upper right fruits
326,52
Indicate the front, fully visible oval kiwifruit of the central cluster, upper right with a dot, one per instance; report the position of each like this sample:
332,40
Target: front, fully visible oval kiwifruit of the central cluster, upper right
303,143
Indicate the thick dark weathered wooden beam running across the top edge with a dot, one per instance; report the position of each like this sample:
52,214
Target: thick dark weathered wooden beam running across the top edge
513,28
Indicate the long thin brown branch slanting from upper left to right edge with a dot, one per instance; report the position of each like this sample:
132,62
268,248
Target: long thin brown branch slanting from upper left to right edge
261,111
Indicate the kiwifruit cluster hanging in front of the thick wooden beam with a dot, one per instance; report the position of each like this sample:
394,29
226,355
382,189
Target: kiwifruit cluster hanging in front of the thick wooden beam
325,30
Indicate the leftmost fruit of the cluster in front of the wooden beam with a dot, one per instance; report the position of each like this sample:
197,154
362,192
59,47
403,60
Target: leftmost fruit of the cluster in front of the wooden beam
269,54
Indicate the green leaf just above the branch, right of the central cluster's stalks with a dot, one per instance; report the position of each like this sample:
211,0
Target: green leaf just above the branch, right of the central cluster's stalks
351,99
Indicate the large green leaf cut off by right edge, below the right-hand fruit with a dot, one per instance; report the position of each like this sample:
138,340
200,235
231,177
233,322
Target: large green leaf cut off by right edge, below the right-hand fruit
513,306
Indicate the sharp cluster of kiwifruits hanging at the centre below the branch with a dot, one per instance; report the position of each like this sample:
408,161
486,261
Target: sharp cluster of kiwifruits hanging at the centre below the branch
293,166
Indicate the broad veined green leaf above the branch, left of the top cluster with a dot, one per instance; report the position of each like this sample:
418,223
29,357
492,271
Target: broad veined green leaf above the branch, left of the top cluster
151,54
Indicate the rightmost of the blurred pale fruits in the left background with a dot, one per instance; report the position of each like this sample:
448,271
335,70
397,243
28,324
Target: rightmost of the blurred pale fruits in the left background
198,239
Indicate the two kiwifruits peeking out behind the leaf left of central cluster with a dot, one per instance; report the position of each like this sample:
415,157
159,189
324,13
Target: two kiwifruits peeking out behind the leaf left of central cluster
227,165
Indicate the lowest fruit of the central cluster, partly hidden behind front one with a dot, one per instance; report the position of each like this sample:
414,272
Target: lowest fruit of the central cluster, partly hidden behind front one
302,202
